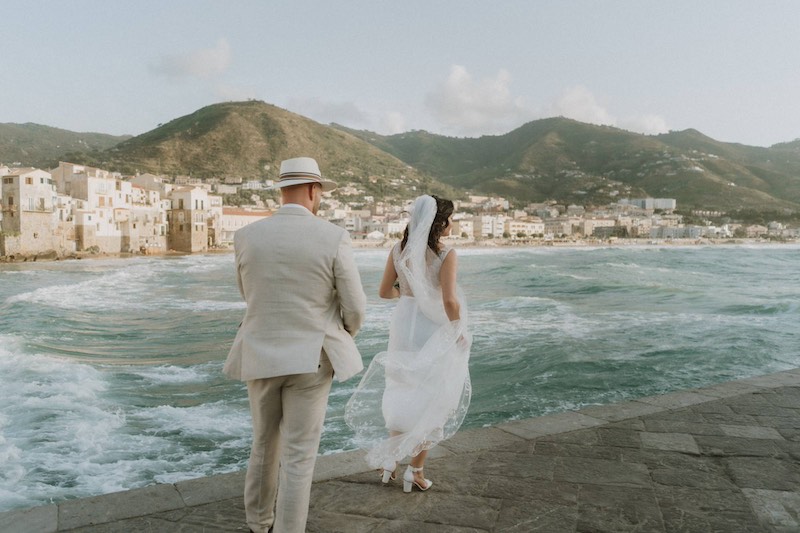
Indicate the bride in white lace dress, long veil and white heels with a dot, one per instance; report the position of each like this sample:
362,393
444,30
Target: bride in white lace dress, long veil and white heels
419,389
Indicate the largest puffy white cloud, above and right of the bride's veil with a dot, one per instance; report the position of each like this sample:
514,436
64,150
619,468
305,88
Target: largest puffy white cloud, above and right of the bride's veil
475,107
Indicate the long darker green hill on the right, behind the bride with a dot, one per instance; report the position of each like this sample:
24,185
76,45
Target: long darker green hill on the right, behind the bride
570,161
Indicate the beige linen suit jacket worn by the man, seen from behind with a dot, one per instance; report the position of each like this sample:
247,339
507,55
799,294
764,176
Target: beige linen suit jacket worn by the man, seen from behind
303,292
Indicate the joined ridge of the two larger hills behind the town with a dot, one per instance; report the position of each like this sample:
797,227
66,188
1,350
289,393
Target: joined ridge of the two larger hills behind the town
554,158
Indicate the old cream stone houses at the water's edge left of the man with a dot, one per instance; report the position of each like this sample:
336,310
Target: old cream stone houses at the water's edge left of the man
76,208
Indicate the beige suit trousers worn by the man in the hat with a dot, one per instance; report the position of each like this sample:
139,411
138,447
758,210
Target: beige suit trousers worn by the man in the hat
288,413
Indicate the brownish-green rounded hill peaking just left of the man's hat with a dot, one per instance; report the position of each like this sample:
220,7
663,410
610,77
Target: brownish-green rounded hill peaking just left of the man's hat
249,140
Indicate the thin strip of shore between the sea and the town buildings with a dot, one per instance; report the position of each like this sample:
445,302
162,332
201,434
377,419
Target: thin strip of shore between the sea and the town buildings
364,244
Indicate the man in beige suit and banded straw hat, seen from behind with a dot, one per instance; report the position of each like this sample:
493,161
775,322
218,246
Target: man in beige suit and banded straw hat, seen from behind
305,303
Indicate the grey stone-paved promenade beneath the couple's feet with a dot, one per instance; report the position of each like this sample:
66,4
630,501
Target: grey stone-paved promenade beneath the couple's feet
724,458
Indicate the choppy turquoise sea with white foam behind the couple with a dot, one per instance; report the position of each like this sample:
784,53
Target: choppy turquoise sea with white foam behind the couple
111,369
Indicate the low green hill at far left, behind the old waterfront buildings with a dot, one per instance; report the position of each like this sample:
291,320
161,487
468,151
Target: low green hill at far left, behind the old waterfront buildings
40,146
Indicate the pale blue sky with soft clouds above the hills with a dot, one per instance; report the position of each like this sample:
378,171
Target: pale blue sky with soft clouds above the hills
465,68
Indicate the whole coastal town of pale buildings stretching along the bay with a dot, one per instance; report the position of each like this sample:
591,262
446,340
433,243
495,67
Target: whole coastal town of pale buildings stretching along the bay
75,210
